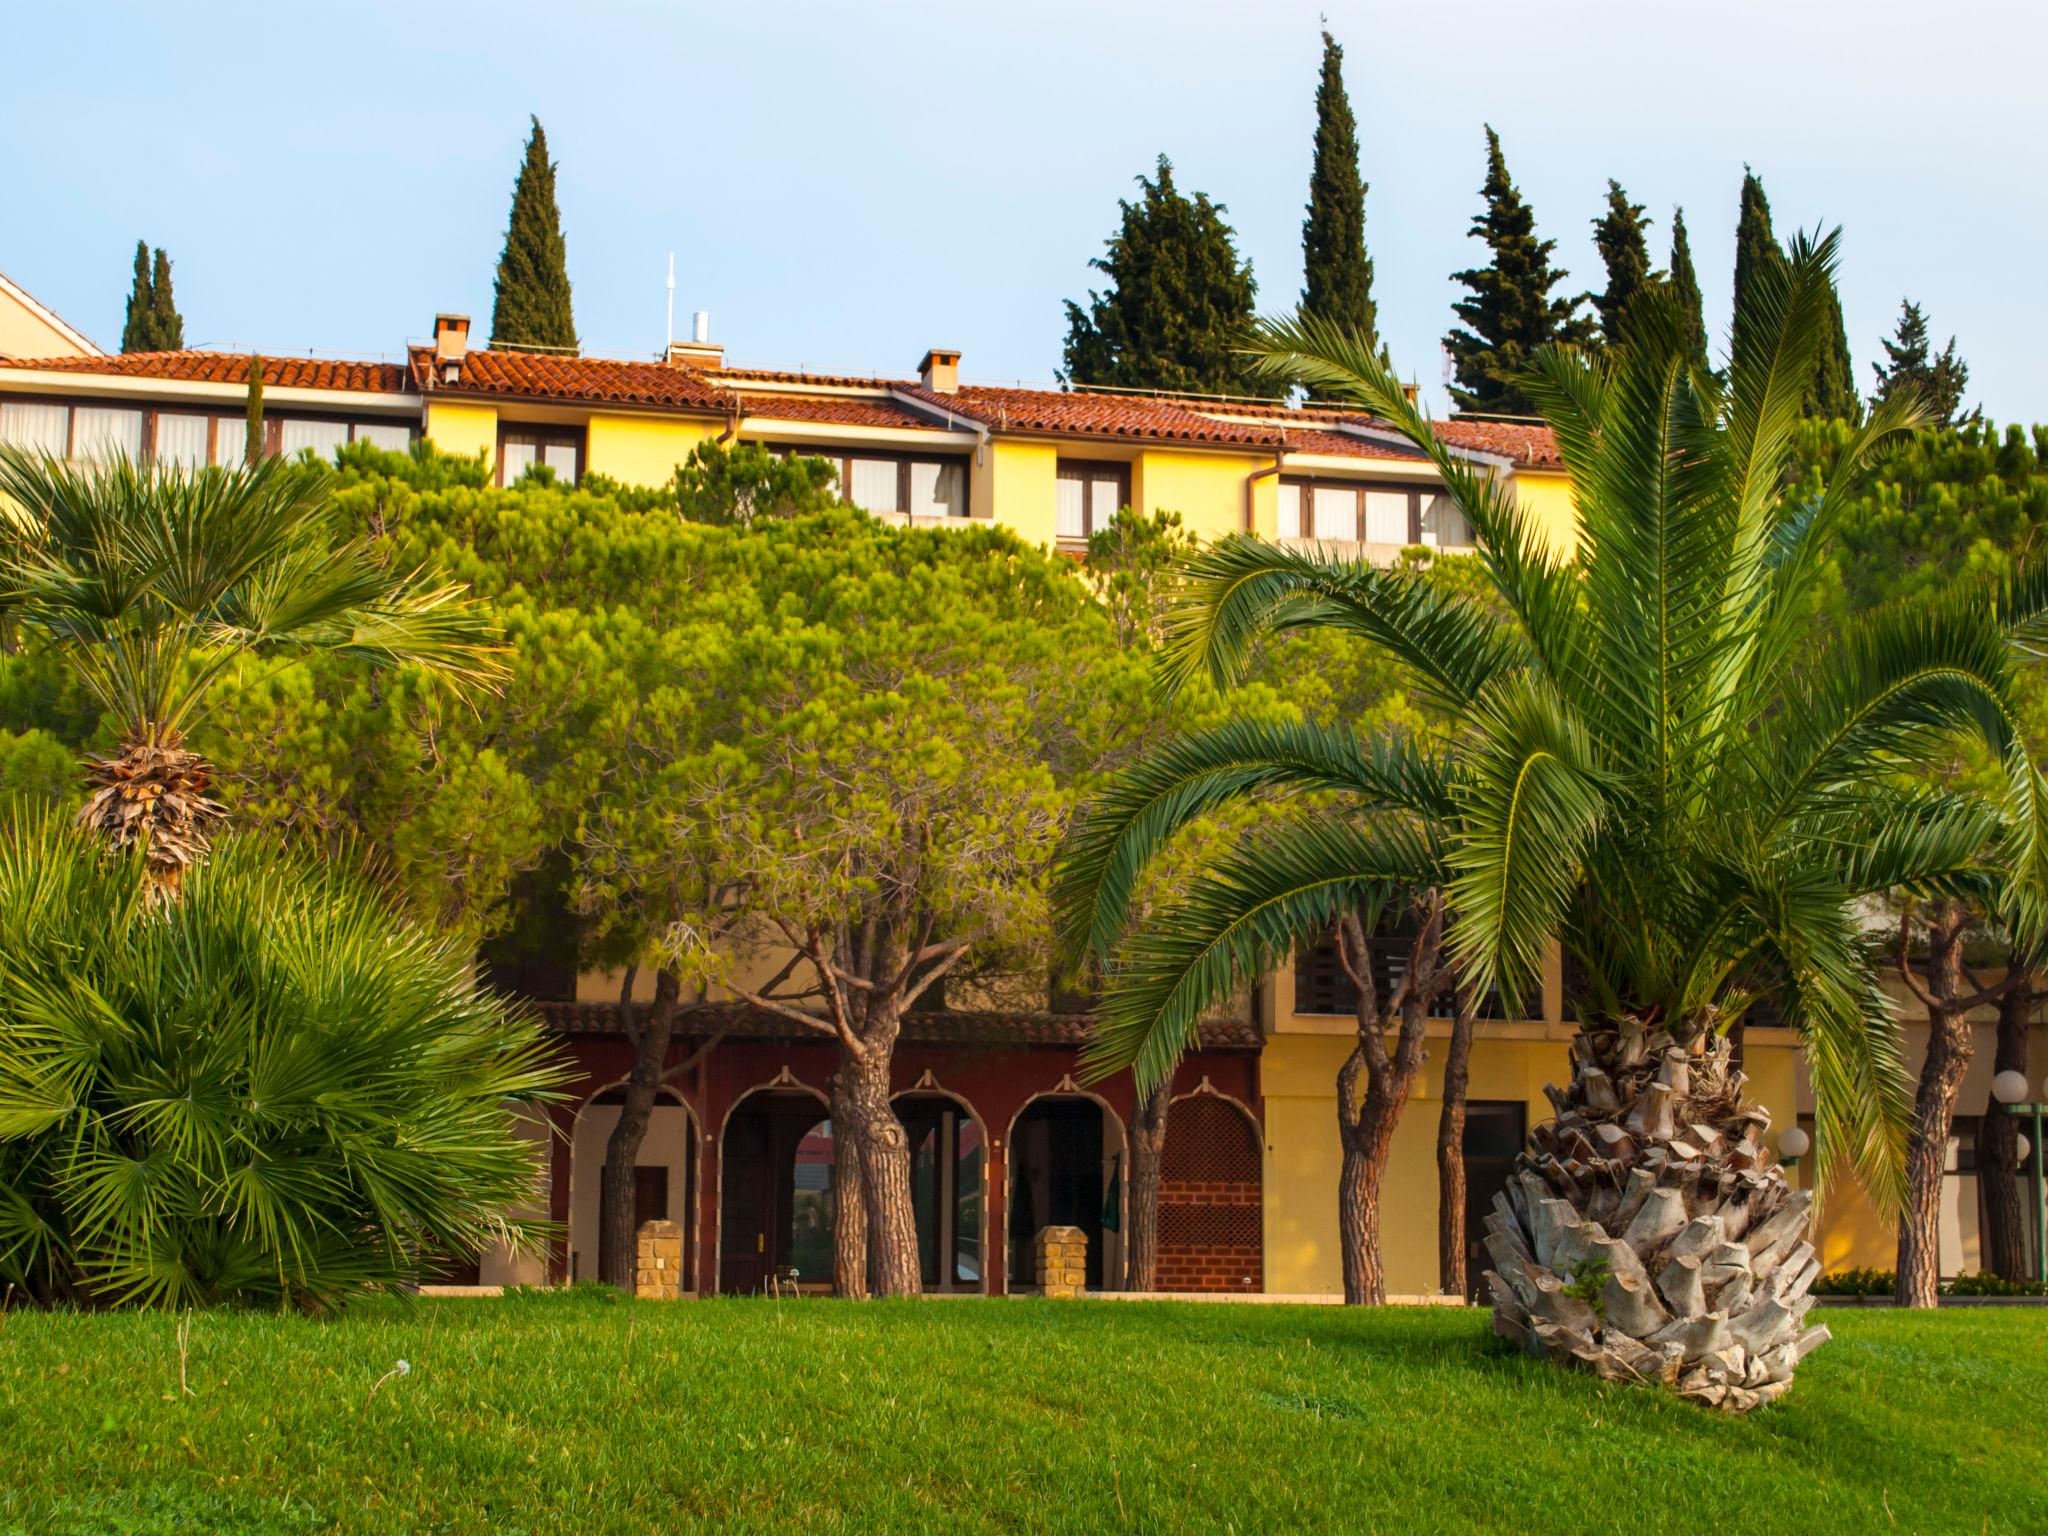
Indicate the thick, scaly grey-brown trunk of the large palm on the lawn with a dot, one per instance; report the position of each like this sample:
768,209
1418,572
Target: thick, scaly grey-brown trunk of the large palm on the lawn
1648,1236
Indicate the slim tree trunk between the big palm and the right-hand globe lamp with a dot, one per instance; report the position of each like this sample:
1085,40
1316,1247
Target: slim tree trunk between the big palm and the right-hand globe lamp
1934,1111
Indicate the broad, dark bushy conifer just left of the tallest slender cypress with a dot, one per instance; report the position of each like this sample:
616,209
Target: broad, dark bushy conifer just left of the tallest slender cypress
1179,302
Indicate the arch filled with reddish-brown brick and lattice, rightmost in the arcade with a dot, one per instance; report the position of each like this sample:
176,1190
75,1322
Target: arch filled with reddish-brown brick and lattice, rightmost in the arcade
1211,1215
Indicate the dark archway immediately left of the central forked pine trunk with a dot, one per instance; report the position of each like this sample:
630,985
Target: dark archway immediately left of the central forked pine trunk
775,1193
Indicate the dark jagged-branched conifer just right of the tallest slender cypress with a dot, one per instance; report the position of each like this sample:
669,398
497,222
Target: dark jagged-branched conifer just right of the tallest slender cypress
1510,312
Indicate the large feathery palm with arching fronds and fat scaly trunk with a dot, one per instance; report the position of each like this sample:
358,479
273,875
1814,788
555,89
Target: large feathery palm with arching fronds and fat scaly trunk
1658,767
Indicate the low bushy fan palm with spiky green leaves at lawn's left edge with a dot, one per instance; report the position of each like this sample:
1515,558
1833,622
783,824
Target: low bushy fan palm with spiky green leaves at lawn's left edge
269,1091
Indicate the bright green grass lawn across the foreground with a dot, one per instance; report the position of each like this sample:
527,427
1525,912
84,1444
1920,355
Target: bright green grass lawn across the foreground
570,1414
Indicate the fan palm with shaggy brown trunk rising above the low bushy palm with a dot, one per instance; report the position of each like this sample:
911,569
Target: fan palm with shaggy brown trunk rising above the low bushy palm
159,585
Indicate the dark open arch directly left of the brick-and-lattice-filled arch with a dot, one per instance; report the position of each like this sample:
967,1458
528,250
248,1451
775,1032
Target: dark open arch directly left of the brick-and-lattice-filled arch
1066,1170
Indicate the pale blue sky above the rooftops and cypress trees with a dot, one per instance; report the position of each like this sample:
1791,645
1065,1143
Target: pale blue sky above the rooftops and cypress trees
847,185
